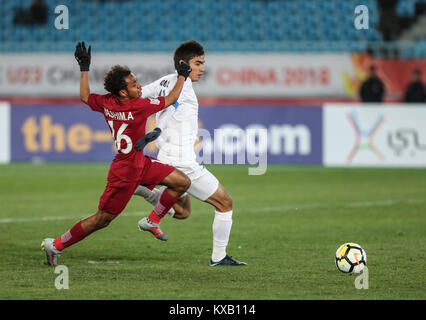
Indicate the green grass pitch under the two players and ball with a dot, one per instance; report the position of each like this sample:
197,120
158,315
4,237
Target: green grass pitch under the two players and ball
287,225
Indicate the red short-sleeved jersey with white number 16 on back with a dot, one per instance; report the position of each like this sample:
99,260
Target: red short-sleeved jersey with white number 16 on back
127,122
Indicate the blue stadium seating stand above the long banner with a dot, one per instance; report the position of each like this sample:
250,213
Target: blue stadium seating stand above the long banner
293,26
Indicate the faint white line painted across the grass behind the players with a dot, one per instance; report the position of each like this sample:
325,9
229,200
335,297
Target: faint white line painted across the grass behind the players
294,207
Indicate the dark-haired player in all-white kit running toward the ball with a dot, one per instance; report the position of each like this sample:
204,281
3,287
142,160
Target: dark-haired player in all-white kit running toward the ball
179,132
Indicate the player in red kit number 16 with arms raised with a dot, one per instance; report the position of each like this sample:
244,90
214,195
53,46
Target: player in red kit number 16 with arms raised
126,114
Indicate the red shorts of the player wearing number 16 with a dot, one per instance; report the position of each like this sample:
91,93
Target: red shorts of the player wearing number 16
118,192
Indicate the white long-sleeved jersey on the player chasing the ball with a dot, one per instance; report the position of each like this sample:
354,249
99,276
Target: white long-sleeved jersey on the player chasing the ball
176,142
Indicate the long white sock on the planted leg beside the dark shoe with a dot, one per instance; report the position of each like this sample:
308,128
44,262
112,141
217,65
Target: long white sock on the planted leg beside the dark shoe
222,224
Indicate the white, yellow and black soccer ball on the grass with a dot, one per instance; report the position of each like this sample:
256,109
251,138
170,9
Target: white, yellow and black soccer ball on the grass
350,258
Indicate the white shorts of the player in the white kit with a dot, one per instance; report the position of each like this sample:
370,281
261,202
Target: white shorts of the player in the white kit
203,182
